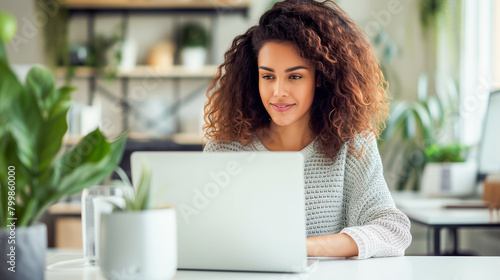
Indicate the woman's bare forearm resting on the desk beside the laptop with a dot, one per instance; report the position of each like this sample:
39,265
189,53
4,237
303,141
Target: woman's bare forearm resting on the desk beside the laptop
333,245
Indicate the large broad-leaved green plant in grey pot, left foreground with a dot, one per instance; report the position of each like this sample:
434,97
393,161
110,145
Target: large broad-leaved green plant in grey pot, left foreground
33,173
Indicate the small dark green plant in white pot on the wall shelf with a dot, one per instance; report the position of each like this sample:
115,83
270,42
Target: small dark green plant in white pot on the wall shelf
194,41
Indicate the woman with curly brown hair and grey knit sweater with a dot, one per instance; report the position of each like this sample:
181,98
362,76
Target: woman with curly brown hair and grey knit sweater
306,79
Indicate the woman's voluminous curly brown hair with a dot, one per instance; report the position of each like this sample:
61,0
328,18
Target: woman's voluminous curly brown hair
352,97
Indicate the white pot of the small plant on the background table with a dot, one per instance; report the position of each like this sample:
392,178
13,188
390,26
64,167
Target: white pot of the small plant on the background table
448,179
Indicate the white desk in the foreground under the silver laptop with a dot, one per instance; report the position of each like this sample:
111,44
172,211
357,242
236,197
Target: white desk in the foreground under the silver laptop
401,268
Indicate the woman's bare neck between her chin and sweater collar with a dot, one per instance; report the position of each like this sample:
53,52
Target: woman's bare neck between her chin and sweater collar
276,138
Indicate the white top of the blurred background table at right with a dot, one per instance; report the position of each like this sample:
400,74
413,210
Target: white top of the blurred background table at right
432,211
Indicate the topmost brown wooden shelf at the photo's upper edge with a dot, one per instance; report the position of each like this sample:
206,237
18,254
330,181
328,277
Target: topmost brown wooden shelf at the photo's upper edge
146,4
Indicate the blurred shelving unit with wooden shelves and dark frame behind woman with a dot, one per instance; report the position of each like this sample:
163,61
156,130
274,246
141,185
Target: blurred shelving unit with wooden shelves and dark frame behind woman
212,9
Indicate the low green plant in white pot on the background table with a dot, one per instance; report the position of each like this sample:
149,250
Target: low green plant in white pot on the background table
447,173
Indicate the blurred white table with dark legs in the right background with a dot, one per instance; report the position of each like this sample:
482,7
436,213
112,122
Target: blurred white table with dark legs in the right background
432,212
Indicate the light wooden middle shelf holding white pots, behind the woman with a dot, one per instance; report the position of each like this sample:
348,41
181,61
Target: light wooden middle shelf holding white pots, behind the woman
144,71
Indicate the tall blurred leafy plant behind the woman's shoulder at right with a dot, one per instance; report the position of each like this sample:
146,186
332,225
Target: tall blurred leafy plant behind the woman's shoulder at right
412,127
